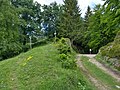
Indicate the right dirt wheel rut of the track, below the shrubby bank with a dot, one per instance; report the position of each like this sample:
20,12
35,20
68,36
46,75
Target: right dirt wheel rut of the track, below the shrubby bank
104,68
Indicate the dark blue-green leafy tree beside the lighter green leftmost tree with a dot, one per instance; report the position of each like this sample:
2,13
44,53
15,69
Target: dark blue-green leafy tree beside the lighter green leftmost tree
30,15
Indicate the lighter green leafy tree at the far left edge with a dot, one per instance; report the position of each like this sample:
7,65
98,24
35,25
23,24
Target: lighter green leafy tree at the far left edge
9,31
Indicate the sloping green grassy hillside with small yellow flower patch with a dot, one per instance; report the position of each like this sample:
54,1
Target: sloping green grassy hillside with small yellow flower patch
38,69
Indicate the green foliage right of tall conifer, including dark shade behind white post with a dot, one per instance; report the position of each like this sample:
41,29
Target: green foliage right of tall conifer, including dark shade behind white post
99,26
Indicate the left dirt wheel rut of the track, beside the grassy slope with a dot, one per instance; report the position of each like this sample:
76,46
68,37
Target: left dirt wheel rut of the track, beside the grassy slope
98,84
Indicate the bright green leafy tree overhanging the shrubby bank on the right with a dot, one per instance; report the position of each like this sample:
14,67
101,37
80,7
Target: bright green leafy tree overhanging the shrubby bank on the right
104,24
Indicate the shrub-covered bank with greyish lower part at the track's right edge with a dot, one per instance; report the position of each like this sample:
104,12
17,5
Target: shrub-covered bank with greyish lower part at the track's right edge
111,52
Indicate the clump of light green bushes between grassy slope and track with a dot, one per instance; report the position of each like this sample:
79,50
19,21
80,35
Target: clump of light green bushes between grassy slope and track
66,54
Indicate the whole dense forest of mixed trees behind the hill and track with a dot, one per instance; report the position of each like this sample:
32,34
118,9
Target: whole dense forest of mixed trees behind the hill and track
22,21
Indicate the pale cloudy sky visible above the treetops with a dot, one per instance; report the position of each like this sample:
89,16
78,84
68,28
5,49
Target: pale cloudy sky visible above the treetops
83,4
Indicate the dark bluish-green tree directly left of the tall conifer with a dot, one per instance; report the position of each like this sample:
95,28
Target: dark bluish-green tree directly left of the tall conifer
51,15
